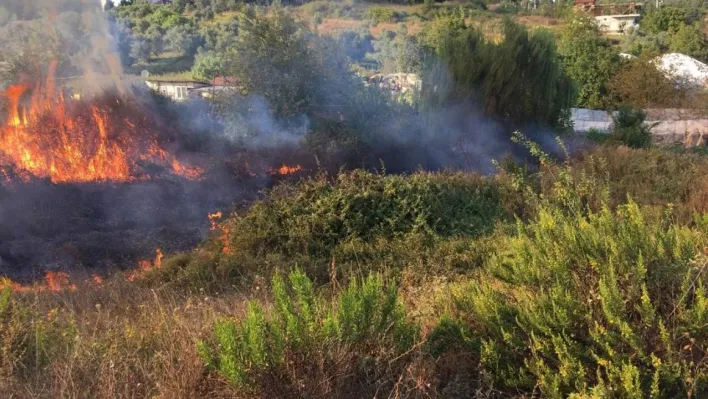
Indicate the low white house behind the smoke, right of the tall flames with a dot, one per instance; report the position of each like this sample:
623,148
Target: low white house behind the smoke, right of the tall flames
183,90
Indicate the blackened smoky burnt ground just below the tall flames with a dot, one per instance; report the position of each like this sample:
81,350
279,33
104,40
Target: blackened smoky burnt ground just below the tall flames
102,226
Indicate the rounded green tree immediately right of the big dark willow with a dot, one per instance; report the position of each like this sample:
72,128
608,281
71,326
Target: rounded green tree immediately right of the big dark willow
590,61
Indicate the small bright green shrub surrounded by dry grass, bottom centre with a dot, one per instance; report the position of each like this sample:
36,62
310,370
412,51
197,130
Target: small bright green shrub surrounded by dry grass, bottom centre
301,326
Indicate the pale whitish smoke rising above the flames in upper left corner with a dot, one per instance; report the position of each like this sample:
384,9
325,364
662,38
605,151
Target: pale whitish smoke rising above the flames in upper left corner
74,33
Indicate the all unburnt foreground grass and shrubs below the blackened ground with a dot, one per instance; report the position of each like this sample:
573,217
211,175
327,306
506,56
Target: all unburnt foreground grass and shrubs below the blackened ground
585,293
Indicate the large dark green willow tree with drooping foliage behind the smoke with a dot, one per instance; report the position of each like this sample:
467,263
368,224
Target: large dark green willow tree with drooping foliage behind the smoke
518,80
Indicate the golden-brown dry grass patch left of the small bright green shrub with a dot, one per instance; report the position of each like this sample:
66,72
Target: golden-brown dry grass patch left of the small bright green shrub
125,341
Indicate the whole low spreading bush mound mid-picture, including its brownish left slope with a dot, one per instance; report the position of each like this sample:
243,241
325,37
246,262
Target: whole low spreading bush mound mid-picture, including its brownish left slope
359,220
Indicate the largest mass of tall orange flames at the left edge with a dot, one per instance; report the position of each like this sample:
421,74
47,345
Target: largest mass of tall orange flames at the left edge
46,136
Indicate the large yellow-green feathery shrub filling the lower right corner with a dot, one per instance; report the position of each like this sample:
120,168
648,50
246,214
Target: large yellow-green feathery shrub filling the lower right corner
608,303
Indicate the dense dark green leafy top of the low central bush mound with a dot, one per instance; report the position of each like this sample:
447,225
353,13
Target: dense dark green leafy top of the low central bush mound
316,216
